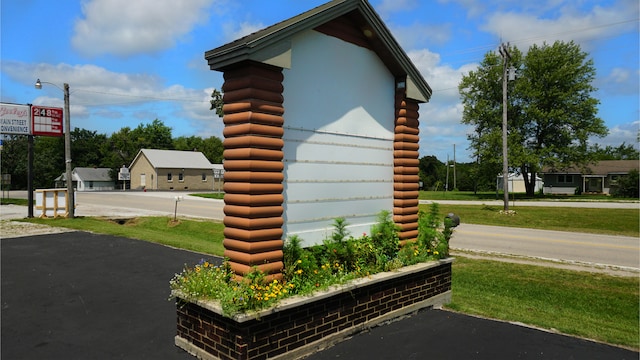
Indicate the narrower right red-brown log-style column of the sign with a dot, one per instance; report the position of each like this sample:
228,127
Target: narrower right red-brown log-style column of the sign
405,167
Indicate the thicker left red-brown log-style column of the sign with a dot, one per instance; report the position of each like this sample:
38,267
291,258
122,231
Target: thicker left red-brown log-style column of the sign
253,168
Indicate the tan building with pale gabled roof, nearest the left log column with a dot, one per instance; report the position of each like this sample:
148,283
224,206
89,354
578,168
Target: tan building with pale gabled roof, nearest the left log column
154,169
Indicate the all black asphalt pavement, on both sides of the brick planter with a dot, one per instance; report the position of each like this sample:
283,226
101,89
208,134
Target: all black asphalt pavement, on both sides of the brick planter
78,295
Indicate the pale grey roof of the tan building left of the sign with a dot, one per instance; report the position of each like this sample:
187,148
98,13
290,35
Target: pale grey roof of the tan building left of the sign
174,159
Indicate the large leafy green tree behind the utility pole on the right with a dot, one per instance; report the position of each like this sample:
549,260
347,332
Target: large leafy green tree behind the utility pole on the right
551,111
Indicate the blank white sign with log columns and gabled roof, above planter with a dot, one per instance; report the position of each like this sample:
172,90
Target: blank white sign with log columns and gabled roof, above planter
321,122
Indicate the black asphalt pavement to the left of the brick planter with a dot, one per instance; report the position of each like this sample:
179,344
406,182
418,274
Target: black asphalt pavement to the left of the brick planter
79,295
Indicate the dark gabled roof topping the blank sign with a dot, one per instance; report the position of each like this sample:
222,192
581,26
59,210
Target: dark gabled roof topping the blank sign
272,45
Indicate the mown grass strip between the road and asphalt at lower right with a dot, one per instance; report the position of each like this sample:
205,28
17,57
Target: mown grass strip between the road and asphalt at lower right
595,306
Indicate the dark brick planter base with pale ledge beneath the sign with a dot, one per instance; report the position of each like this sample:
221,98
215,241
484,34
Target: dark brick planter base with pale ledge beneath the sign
302,325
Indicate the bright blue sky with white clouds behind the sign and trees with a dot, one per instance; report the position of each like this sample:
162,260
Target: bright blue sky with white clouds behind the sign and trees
131,61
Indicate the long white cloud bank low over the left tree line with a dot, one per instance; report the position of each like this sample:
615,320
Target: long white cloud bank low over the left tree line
98,92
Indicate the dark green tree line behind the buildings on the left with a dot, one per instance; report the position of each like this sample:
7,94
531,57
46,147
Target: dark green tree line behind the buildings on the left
91,149
